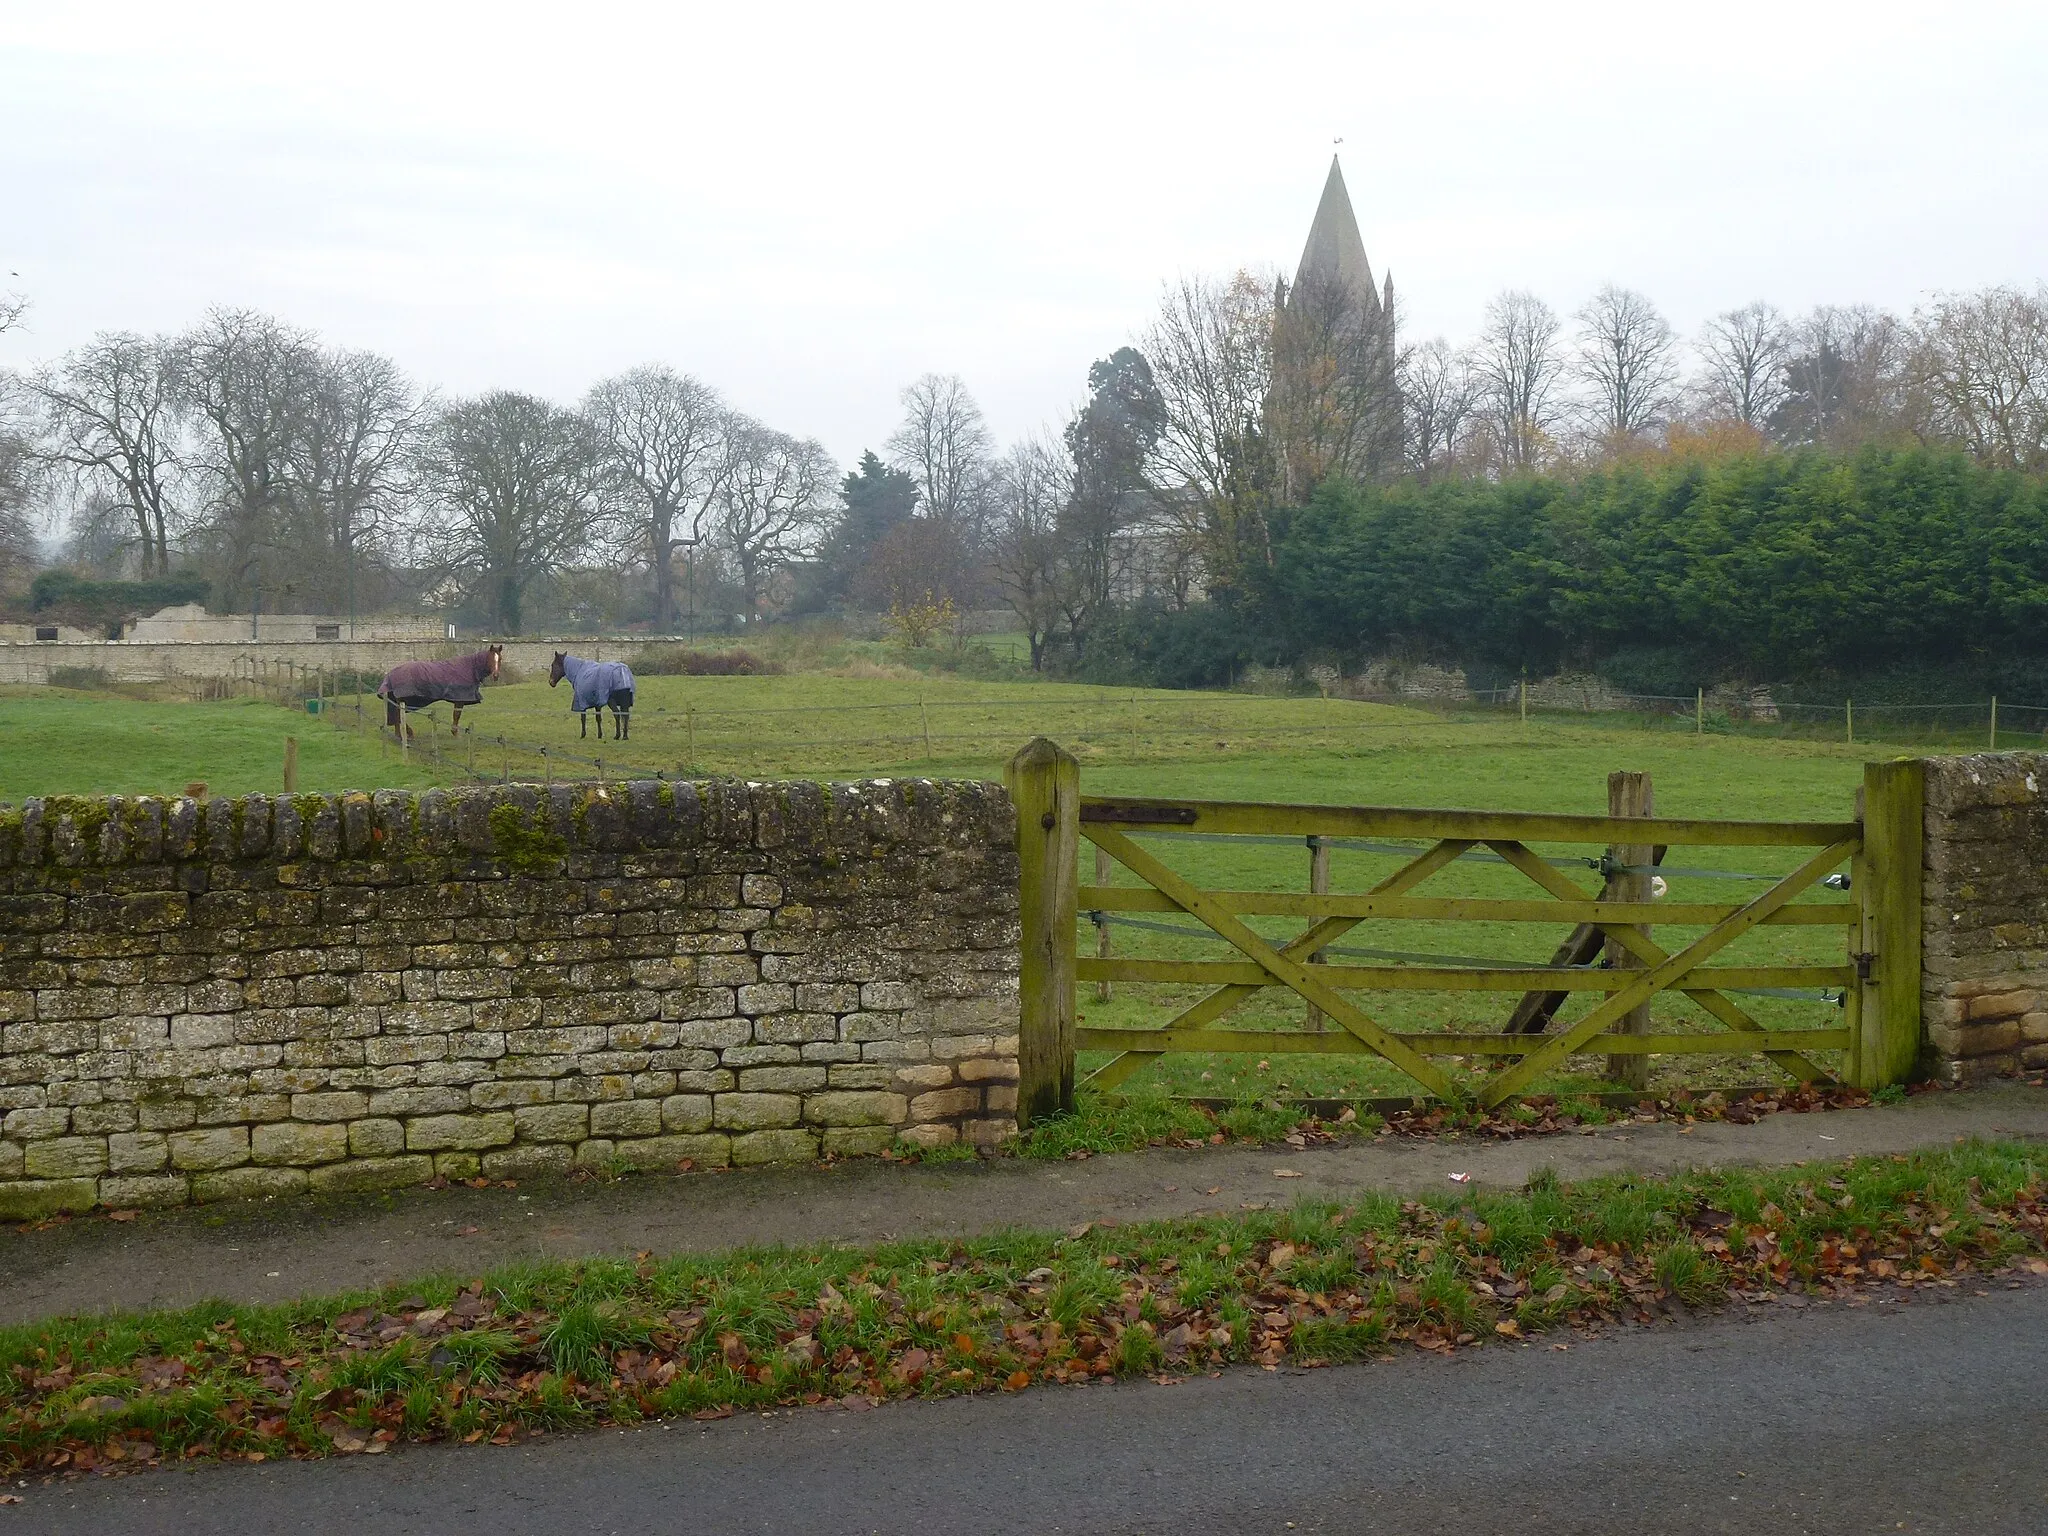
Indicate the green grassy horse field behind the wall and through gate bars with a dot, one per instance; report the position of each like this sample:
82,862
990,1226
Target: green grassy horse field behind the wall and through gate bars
882,720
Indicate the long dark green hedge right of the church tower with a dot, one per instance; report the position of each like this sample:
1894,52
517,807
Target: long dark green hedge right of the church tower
1768,566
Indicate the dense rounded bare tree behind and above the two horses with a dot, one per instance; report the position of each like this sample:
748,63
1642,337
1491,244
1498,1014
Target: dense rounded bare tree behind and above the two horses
517,486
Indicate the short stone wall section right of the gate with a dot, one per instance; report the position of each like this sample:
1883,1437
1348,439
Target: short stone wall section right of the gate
1986,916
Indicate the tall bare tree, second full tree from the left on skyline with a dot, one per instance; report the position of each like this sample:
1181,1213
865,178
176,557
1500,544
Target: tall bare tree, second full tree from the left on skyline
249,384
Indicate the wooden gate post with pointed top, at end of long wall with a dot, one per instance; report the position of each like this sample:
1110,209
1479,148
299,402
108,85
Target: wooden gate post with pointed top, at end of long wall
1046,785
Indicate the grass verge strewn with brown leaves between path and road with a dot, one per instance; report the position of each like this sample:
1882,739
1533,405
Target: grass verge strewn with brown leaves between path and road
552,1347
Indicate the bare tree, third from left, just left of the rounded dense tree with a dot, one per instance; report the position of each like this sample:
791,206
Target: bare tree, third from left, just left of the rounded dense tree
353,460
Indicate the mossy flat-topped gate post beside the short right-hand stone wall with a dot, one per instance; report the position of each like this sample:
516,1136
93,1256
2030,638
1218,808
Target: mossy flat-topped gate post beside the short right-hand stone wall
1889,962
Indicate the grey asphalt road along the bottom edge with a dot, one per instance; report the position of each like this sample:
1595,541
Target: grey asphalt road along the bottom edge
1926,1416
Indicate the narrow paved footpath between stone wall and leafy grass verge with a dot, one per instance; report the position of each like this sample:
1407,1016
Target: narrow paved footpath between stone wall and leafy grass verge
294,1248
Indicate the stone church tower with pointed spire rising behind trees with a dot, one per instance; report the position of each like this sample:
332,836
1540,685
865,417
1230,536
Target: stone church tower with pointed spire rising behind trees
1336,402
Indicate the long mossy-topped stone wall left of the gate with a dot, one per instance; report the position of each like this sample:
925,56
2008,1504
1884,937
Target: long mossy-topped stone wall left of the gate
267,994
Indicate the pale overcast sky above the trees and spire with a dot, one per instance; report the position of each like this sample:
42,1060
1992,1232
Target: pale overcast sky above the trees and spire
808,206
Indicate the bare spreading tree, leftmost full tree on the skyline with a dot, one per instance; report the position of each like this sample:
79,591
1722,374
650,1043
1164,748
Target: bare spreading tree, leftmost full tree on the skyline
112,421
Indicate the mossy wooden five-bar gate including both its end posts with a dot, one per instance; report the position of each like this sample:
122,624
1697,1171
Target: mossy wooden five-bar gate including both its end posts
1879,976
